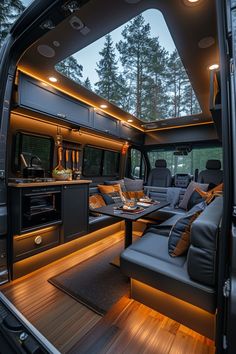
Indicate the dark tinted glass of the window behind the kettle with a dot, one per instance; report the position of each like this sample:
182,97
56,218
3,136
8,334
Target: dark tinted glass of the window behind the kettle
33,146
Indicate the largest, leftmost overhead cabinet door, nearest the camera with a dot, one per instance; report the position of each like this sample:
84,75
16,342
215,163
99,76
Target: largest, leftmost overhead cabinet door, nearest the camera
39,97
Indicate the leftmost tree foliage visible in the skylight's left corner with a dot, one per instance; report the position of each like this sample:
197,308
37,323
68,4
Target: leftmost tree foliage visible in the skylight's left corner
70,68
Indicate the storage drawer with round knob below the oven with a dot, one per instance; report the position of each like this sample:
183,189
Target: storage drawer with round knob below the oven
35,242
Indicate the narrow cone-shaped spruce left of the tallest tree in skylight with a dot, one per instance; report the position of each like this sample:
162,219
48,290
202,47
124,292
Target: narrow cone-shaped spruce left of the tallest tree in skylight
110,84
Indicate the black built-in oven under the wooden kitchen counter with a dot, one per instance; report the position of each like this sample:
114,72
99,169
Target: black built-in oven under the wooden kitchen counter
40,206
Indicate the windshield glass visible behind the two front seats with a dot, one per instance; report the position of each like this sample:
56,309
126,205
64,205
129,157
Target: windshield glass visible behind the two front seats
196,158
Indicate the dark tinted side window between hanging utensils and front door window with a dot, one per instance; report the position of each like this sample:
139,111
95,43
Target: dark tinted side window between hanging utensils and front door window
100,162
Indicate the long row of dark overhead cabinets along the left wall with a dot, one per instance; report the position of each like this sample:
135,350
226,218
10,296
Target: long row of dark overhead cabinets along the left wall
42,98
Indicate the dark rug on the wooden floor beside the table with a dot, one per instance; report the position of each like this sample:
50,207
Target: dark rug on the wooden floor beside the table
95,282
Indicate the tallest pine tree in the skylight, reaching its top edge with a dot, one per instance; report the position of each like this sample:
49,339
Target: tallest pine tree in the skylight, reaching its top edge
134,56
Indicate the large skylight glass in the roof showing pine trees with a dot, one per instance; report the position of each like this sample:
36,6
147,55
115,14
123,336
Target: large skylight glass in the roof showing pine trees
137,68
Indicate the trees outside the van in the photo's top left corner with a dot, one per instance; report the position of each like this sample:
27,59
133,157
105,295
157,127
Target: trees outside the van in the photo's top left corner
9,12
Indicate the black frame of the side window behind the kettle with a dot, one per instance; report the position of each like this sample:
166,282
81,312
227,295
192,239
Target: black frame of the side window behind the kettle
16,168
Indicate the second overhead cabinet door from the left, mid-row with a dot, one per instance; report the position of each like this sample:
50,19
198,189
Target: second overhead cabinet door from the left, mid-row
105,124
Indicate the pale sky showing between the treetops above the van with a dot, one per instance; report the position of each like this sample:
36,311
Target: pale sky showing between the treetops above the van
89,56
